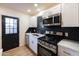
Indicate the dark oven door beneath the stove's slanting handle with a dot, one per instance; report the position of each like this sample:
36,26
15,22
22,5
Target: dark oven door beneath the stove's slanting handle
44,52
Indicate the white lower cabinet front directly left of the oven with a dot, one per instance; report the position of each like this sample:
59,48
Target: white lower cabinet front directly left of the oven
33,43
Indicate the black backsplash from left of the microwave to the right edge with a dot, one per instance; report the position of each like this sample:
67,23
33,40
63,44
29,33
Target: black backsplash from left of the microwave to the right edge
73,32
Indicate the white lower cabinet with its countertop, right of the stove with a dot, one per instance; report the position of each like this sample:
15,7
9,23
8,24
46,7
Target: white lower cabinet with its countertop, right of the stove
68,48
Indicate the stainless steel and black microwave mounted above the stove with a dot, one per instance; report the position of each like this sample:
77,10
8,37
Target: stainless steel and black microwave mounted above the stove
54,20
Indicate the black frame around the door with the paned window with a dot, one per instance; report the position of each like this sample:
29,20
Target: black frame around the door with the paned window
2,17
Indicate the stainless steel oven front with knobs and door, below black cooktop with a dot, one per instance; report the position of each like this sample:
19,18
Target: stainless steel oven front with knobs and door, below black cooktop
46,48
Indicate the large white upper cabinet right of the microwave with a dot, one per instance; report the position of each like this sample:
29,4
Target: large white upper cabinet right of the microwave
70,17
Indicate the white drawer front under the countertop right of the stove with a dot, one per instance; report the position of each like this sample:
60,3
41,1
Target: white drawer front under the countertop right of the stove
63,51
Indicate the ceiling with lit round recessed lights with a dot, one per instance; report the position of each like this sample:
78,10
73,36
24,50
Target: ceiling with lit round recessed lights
23,7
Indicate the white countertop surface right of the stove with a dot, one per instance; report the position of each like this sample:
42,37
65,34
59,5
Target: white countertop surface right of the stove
69,44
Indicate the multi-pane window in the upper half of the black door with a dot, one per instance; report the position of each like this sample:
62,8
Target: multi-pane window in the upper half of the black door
10,25
